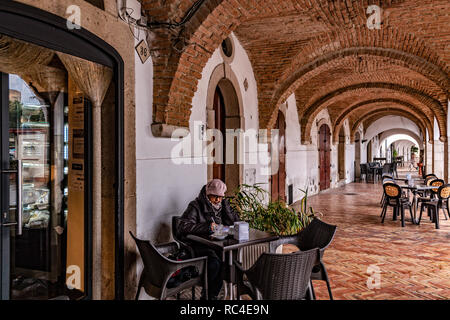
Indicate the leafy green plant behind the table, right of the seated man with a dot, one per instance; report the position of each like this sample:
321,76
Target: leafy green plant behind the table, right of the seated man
271,216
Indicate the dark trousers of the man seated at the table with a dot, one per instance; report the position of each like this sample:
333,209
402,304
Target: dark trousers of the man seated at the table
215,269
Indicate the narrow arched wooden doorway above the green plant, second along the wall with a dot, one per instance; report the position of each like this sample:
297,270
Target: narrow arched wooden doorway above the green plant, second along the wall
278,180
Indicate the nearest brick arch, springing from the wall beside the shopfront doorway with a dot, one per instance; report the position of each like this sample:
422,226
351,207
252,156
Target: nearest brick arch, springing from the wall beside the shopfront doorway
180,54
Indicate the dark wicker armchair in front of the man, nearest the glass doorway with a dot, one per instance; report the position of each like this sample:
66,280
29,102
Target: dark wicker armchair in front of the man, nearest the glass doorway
158,270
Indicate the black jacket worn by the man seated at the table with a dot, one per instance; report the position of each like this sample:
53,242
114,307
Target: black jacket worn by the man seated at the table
199,215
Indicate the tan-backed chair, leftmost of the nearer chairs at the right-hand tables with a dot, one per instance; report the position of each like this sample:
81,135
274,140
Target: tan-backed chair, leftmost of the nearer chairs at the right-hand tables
396,200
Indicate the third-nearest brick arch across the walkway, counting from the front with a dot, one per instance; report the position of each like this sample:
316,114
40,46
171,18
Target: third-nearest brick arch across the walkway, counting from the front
313,109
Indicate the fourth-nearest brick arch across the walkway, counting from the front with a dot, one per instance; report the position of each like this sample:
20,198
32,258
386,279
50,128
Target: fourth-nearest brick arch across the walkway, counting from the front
393,103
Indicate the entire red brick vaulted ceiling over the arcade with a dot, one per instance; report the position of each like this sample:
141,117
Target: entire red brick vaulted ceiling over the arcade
321,50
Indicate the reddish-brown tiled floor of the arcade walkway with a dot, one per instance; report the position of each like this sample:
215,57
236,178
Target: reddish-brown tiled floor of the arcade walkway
413,262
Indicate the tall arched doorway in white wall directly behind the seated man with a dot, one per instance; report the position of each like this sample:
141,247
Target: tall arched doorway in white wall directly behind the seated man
226,117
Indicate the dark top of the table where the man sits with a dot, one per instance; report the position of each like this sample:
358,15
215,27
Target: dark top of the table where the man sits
229,243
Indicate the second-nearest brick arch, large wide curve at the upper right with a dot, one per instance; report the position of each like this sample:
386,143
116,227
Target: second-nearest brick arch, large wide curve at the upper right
388,42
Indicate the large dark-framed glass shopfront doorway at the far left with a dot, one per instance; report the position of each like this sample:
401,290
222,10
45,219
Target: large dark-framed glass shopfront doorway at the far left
37,260
